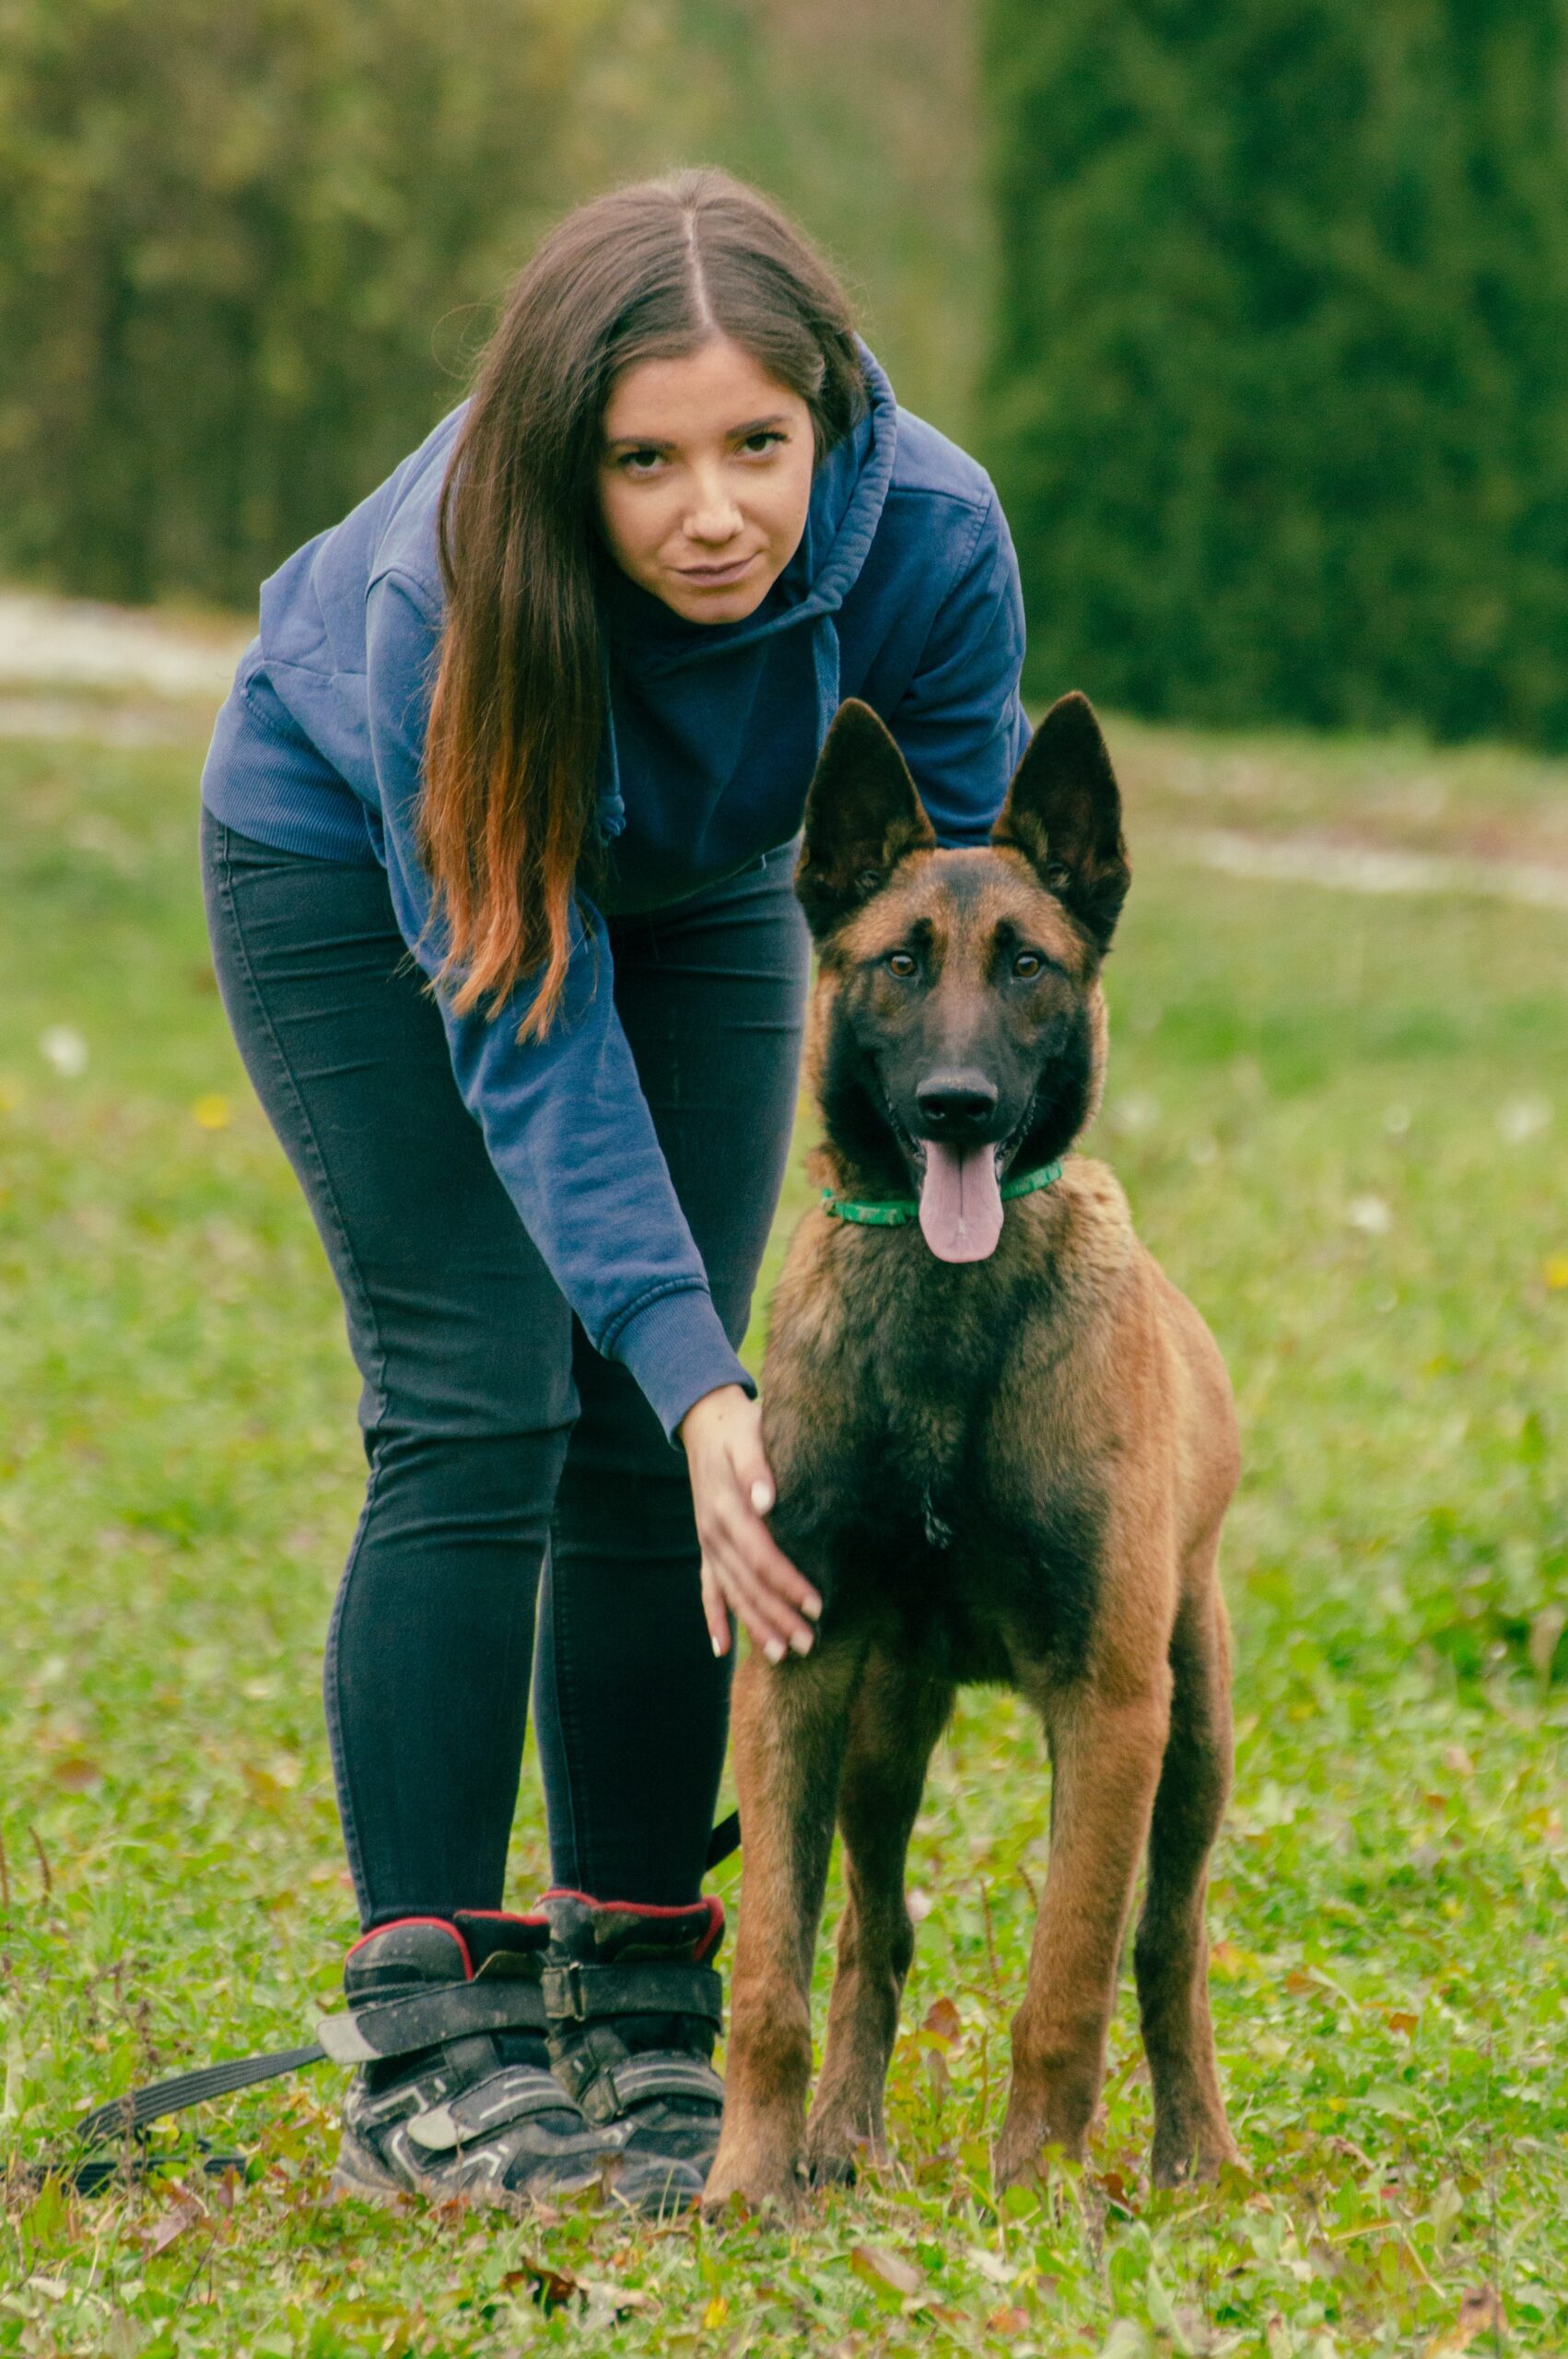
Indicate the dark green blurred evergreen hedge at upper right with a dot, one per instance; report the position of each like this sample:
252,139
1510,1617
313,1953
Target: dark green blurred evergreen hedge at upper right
1277,388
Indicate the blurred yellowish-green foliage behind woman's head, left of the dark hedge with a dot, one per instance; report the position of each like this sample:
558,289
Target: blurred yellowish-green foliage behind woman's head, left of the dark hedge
249,249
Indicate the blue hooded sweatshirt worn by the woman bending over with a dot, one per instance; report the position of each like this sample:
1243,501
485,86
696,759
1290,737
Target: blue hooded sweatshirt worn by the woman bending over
904,593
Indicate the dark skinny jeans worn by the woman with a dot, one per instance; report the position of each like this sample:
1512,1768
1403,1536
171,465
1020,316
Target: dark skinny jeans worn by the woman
510,1464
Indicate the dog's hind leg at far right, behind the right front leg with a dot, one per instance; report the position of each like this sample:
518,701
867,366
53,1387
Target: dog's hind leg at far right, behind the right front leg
1173,1950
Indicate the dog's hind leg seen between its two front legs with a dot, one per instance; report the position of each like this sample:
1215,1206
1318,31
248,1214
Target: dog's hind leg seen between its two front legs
897,1719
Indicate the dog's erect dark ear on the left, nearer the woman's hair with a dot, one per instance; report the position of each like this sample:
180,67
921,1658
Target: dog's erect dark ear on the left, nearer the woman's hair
862,820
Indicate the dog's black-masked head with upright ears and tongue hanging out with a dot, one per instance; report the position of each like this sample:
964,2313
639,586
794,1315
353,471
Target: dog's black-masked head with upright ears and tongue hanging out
958,1030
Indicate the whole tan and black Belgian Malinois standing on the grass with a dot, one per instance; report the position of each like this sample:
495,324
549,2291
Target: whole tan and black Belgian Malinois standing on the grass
1003,1447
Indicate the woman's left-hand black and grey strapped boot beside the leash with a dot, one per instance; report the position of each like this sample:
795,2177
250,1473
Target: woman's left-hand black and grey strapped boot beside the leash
454,2096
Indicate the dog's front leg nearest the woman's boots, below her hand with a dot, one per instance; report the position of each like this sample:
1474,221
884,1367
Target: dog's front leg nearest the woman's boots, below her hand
789,1735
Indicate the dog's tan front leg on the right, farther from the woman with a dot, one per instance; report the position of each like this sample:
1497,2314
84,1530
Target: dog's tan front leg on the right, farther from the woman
1107,1766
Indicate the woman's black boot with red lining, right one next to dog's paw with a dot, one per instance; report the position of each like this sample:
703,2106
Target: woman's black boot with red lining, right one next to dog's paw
633,2018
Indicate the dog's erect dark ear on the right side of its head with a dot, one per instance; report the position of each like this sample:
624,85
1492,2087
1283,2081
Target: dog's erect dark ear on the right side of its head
1065,815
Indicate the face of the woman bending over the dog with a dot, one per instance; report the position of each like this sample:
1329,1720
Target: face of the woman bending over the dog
706,480
